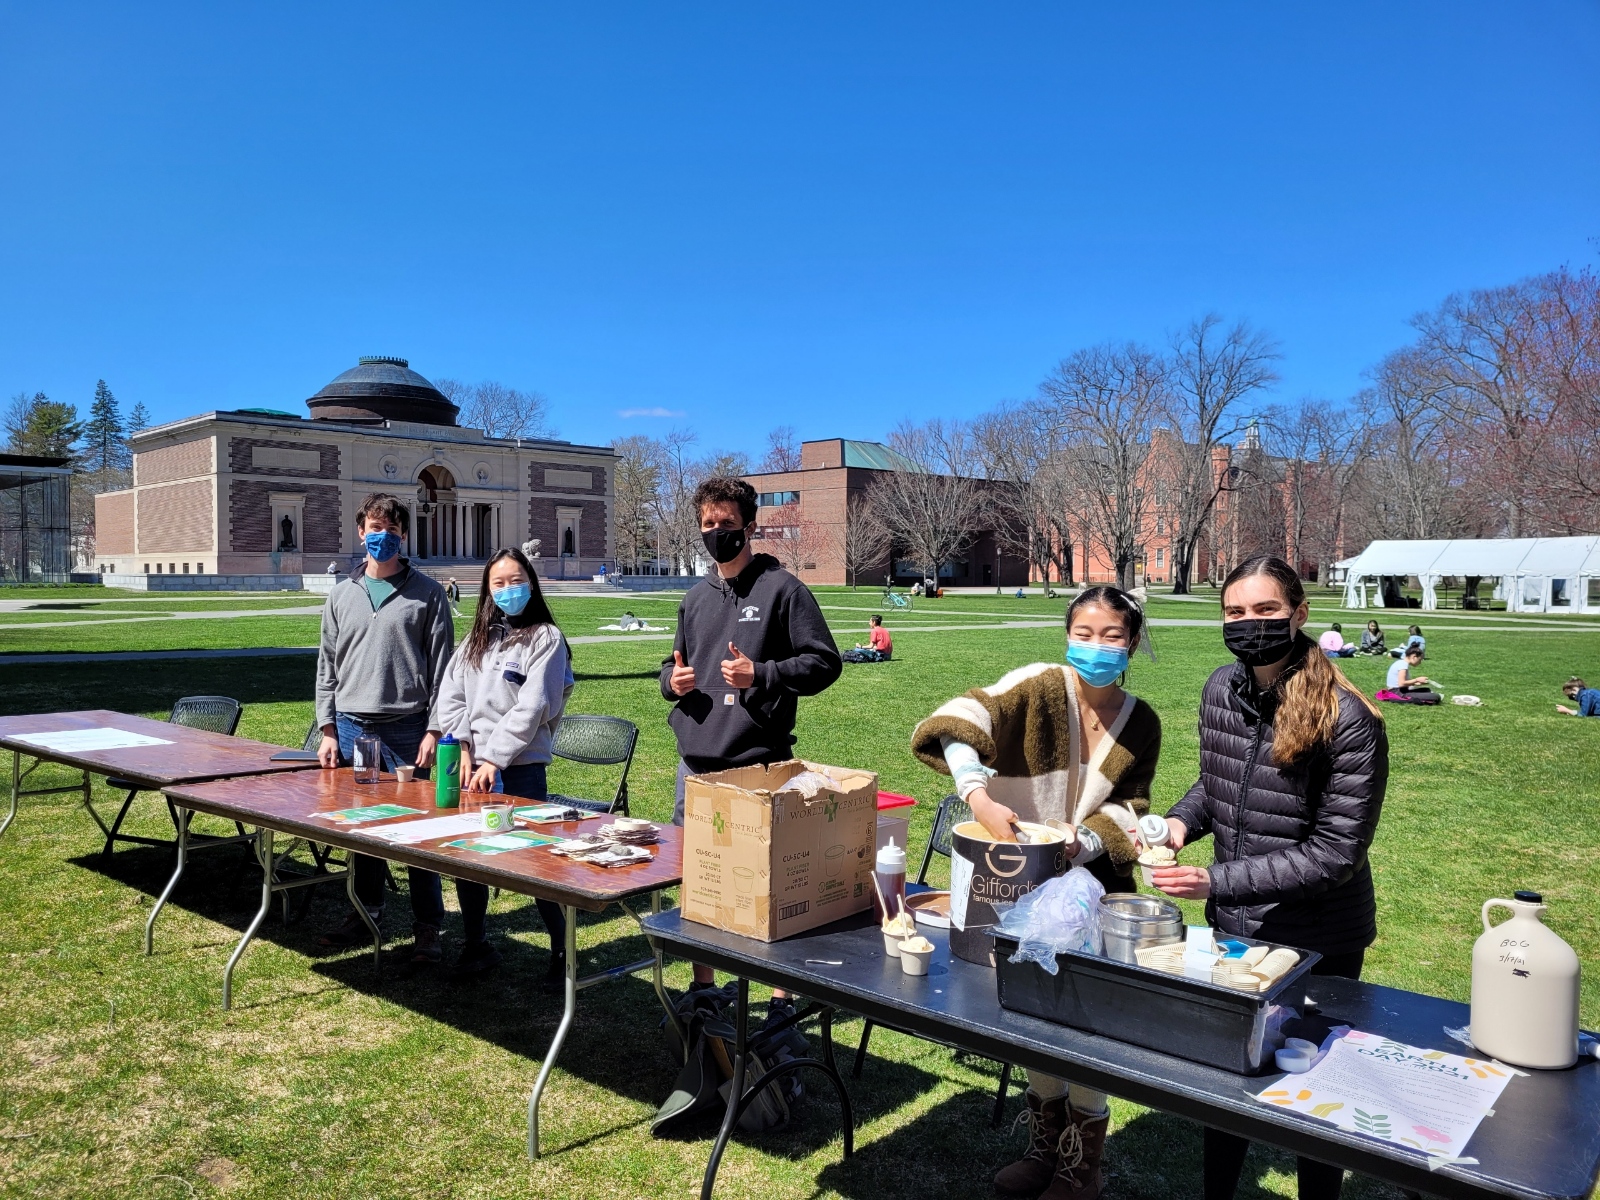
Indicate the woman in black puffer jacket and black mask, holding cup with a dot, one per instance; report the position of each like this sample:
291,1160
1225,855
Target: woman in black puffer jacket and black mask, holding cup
1294,767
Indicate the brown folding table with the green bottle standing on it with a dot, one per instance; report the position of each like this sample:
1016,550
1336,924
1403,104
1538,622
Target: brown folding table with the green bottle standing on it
289,804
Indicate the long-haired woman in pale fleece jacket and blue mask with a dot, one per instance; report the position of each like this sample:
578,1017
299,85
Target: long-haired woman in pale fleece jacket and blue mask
503,700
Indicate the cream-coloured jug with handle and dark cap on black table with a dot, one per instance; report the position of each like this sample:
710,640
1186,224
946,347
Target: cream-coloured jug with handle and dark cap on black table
1524,988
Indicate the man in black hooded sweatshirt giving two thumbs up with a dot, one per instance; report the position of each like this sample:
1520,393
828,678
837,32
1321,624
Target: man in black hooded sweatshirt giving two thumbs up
751,642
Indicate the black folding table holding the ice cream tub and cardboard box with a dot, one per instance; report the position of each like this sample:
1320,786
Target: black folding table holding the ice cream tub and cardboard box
1543,1140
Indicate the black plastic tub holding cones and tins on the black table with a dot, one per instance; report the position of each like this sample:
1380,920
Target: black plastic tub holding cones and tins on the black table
1199,1022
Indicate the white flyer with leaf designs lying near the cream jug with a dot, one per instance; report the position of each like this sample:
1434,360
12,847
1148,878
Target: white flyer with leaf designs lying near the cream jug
1422,1098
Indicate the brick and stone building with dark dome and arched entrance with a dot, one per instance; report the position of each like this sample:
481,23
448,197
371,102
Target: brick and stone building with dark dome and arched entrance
258,494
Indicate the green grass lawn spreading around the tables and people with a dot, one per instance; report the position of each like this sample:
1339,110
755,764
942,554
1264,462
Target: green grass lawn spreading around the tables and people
326,1081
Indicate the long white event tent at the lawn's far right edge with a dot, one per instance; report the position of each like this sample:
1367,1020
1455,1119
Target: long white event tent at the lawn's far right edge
1537,575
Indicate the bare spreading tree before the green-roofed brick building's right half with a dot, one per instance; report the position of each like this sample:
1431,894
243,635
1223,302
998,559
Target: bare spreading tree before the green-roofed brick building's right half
927,513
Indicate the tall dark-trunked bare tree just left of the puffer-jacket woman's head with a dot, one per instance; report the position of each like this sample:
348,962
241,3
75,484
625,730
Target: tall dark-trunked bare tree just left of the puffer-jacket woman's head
1212,370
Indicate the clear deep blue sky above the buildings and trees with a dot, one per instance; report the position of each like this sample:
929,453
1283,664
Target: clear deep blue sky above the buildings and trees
742,217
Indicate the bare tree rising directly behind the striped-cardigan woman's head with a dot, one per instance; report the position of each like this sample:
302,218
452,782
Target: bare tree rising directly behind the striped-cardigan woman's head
1100,404
